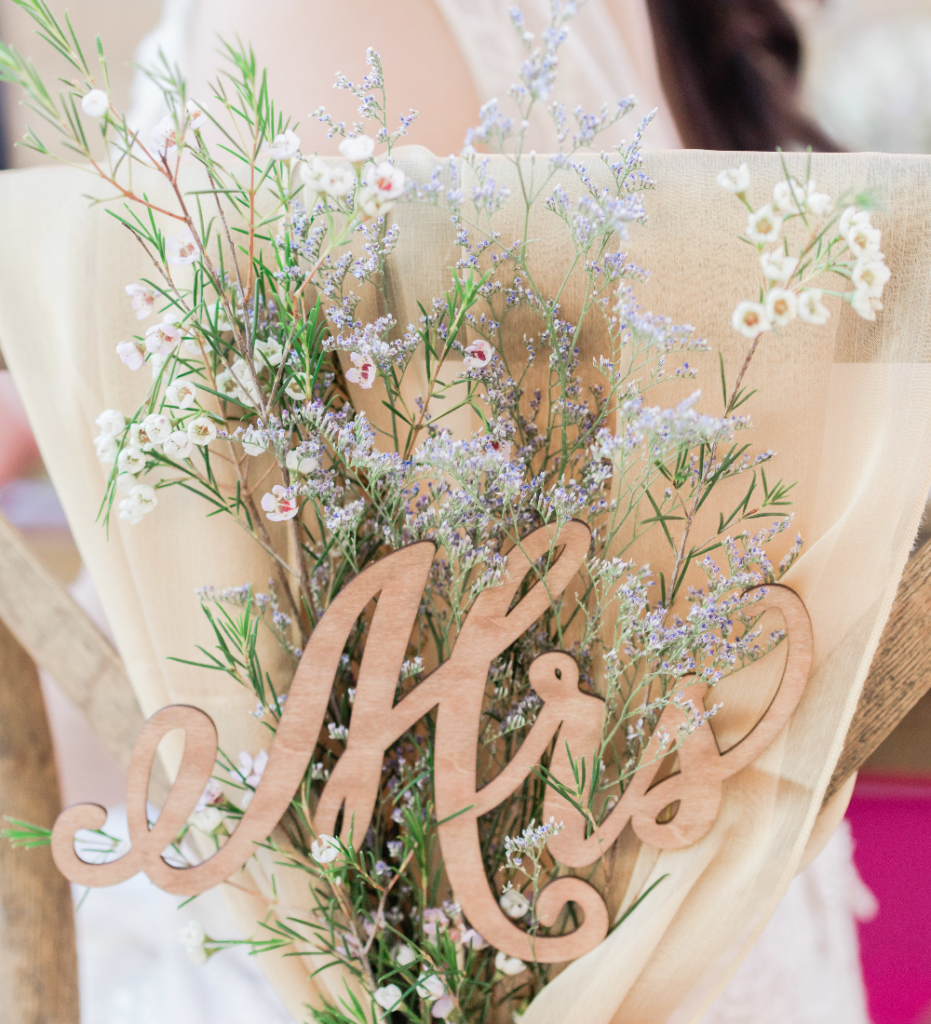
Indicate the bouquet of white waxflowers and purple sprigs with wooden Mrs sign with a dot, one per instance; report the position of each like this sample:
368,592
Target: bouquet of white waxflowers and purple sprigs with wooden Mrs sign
506,579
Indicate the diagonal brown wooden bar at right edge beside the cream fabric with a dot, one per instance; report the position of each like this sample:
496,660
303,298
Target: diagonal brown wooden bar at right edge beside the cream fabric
901,673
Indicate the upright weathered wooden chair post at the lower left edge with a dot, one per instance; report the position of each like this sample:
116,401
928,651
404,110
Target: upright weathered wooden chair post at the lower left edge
38,967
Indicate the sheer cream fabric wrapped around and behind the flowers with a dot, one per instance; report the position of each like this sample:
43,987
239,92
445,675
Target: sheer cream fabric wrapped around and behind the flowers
848,407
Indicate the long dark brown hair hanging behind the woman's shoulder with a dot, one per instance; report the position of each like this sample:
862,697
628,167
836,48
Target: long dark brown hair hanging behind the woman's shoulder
731,72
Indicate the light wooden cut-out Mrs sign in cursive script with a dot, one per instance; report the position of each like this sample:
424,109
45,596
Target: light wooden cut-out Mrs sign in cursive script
456,692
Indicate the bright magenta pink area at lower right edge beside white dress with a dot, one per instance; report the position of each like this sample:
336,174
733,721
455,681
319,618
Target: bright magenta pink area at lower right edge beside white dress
892,823
